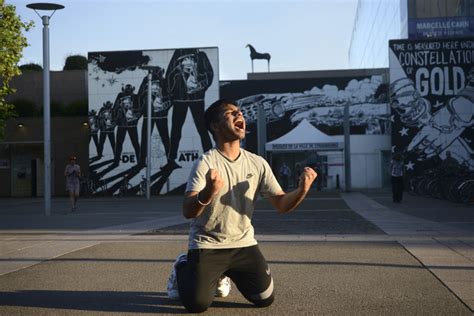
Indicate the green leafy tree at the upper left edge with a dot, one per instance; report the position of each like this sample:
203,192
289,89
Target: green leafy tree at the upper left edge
12,43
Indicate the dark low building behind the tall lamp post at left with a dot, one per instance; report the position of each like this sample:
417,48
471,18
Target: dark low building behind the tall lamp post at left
21,151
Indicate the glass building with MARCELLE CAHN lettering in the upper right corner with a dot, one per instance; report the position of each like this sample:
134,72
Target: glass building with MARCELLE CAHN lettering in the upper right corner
378,21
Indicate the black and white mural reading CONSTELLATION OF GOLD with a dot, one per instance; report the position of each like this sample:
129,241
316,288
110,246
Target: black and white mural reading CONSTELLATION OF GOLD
432,102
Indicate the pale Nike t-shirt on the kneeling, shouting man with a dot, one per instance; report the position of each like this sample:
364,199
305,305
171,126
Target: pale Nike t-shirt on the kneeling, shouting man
226,222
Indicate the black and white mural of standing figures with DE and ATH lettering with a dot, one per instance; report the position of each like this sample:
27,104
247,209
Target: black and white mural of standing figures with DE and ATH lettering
183,82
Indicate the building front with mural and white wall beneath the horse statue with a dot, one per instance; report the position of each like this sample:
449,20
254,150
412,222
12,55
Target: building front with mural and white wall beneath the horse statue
318,97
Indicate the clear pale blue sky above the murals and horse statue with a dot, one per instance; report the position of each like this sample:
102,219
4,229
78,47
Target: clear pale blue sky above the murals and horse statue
300,35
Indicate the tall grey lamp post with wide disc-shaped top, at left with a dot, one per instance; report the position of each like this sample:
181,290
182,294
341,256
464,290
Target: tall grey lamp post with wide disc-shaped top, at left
46,100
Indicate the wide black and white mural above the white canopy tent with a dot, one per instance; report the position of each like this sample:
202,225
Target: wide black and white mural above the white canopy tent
321,101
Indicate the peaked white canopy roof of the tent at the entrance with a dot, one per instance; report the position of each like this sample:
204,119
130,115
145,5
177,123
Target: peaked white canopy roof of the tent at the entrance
304,137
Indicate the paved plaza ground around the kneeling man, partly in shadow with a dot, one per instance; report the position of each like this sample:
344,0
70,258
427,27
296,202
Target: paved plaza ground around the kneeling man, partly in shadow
338,253
